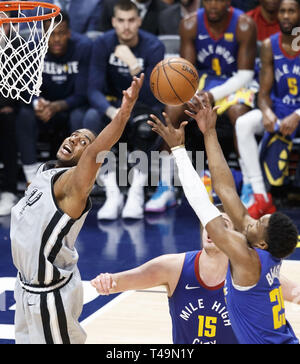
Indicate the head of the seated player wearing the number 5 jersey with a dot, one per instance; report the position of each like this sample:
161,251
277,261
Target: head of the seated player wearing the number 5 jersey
289,15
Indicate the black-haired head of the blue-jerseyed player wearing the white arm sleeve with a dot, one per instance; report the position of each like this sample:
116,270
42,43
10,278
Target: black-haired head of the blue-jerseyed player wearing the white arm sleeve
275,233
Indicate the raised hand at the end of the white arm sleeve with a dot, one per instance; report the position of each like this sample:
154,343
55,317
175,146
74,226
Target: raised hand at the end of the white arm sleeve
173,137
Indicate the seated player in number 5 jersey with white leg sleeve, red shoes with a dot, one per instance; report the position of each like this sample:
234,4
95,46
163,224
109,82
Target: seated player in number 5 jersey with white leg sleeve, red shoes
277,117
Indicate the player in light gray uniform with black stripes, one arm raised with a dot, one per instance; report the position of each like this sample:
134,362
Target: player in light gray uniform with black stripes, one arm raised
44,227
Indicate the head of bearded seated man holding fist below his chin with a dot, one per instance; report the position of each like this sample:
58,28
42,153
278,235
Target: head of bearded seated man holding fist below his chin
126,21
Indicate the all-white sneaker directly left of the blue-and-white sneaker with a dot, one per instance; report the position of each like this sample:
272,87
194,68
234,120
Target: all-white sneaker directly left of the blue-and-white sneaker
134,207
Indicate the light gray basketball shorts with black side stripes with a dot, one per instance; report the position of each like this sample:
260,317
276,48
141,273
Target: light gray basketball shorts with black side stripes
45,316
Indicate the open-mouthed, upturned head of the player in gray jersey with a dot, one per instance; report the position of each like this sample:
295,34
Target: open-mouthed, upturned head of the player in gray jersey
73,147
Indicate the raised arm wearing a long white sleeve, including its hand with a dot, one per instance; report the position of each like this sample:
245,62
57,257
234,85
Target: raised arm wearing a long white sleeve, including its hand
233,244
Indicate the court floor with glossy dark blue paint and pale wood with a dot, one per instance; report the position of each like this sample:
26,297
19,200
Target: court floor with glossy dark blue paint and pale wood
134,317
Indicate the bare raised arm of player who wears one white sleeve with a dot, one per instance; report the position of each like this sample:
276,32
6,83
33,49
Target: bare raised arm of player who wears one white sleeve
222,178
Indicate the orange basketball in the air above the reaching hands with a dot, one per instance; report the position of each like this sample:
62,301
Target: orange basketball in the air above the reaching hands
174,81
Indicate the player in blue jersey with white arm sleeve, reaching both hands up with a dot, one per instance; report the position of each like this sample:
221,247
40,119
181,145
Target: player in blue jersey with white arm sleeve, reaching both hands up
253,290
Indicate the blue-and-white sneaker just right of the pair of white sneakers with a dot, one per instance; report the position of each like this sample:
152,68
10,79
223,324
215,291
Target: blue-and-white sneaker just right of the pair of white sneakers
163,198
